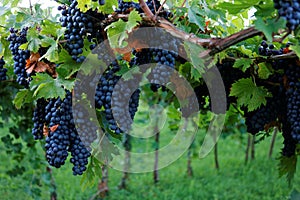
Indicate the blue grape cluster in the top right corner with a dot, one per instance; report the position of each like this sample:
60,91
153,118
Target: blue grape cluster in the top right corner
289,10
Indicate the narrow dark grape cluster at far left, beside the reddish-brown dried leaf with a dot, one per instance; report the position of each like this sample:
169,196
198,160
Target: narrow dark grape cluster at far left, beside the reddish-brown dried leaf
16,39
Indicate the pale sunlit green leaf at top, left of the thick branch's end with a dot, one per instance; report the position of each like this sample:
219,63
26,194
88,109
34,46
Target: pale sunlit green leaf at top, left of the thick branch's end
118,31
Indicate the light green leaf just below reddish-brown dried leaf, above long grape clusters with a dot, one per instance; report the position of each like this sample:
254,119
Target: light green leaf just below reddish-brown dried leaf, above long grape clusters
45,86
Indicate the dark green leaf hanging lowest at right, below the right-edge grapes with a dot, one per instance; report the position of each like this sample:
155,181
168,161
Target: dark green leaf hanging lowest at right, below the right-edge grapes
287,166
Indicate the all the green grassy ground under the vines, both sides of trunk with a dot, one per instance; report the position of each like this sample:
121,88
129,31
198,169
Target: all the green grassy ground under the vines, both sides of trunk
235,180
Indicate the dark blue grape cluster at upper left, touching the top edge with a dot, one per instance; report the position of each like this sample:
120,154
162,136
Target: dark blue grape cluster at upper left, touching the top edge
79,26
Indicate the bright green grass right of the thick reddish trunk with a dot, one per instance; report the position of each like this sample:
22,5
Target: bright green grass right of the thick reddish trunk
235,180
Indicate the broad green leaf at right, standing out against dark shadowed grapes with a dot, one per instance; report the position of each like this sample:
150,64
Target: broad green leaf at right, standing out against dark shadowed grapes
248,94
